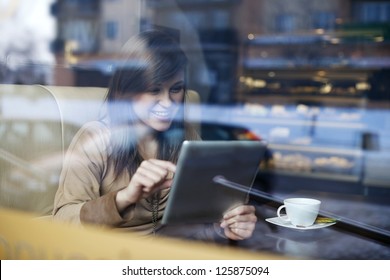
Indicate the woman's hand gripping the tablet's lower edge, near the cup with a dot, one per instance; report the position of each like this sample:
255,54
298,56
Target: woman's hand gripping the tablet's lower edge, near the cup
239,223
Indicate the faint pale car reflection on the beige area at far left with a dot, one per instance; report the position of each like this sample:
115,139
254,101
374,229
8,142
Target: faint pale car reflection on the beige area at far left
30,173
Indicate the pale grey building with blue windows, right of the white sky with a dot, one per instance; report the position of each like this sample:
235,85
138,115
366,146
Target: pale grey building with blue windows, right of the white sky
97,26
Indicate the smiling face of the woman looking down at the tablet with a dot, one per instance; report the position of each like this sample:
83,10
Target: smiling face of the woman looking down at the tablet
158,106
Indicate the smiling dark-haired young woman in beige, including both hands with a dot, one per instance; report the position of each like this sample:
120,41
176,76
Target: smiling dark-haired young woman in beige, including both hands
118,170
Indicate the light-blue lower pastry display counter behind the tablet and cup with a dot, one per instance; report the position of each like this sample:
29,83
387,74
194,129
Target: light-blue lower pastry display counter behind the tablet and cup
322,148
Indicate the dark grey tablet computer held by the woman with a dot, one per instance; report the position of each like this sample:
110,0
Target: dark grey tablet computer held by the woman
195,196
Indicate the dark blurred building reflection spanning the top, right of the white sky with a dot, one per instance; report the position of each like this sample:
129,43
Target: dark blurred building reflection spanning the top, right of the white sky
316,40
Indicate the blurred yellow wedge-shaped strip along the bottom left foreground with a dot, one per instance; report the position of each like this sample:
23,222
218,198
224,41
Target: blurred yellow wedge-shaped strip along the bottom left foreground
28,238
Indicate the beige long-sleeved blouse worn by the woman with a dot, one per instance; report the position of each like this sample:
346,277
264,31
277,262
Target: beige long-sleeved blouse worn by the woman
88,185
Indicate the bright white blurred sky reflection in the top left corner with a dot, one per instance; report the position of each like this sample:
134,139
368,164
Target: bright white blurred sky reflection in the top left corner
27,30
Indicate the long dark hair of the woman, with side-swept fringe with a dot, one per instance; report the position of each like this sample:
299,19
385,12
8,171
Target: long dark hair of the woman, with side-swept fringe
151,57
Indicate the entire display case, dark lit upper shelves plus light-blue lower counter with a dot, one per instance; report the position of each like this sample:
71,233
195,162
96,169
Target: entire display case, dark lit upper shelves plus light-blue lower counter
315,106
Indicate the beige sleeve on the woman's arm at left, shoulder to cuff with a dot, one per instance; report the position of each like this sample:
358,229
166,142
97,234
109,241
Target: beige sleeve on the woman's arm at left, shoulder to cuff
79,198
